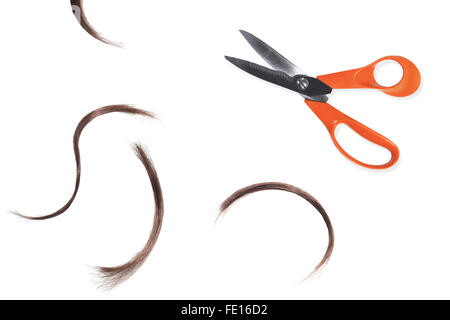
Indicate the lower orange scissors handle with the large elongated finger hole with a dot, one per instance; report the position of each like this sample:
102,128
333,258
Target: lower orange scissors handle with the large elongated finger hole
332,118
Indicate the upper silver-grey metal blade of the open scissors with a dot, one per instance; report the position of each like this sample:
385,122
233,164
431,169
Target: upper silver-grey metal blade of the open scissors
271,56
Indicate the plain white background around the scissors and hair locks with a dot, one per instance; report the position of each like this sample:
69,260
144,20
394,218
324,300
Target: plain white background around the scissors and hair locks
219,130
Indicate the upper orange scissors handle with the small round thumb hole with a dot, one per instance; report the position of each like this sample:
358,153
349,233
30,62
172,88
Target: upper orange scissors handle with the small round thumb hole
364,78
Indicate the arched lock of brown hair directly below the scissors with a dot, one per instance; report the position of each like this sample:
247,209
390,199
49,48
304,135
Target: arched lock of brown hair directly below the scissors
289,188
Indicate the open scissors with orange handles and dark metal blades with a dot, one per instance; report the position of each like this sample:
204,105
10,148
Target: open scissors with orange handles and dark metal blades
316,91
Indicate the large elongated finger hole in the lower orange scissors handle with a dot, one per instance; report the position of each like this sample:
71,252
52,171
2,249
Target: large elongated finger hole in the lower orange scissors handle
359,148
